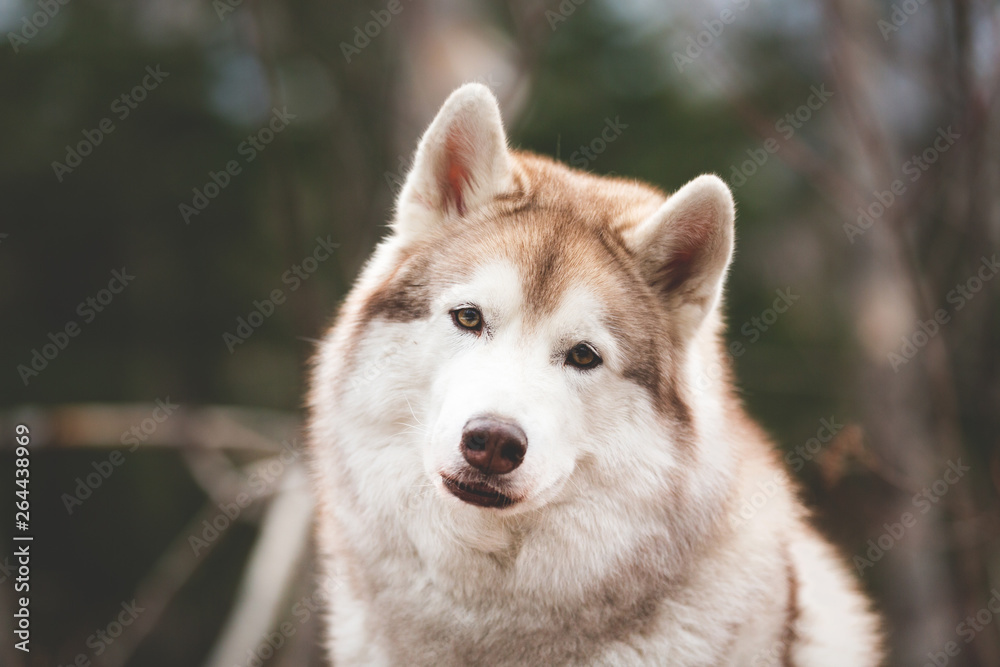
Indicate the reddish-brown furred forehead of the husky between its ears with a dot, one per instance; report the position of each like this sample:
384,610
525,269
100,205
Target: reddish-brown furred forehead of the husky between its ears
559,229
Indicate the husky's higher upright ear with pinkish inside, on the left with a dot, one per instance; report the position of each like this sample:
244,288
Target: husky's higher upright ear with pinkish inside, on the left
461,163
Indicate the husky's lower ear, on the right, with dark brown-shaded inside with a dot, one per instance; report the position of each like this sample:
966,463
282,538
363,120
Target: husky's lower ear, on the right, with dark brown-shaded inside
685,247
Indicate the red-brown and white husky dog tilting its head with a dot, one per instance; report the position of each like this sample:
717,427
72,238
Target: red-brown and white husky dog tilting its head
525,443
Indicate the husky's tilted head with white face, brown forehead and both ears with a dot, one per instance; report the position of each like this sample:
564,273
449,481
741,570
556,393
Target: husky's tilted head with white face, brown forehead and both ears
527,330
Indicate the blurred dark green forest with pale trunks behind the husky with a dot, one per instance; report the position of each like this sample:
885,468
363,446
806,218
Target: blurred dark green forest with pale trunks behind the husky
217,150
